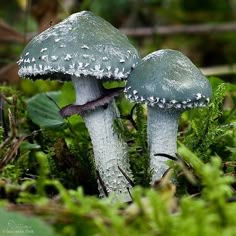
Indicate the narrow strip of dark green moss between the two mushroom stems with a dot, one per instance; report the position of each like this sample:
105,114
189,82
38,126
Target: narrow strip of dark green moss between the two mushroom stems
133,131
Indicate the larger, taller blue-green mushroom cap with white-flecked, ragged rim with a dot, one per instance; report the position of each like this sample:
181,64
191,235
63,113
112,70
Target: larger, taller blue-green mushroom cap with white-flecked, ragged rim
82,44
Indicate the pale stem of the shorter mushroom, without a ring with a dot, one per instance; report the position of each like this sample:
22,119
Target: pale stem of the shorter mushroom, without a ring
162,130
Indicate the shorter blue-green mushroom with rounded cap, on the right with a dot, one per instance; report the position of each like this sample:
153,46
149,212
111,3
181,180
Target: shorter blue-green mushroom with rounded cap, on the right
169,83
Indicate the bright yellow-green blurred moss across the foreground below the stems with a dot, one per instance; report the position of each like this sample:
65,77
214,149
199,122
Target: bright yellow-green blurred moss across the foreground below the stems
153,211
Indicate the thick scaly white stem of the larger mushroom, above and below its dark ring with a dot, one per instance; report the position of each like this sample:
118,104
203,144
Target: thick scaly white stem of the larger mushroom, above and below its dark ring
109,150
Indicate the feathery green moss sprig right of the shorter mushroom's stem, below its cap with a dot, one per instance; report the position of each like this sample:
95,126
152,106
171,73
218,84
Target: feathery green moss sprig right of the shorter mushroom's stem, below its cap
207,127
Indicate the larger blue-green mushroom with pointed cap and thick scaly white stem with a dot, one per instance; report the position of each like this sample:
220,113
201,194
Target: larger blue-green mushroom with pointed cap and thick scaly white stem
88,50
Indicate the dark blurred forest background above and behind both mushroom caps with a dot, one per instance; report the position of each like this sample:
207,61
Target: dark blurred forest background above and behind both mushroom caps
20,20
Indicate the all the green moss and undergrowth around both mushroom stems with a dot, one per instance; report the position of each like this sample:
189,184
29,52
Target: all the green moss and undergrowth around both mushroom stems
42,178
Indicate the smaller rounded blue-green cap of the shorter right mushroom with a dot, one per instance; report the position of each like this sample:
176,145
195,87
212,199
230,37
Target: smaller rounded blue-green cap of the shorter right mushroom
168,79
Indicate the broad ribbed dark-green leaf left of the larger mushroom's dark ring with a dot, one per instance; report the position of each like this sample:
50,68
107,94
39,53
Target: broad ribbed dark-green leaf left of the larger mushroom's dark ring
43,110
